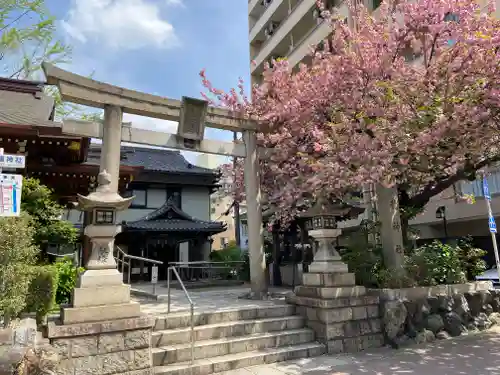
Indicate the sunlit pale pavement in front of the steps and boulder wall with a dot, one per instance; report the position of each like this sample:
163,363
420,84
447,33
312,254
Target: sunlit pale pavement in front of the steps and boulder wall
477,354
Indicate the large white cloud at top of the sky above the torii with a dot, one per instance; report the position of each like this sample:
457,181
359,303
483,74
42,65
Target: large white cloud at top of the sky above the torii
123,24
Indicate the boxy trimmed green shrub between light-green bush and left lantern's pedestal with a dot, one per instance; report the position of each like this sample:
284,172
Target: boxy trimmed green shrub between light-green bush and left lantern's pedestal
42,291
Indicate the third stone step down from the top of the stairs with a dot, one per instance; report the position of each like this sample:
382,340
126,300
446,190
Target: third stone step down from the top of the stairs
230,345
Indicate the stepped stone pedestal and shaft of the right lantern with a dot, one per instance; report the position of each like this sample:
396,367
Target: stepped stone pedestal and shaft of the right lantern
343,316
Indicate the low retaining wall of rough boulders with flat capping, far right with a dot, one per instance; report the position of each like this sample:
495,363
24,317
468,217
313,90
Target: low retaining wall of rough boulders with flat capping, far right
419,315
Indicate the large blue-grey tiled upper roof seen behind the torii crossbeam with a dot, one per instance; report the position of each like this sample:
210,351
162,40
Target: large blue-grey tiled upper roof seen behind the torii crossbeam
151,159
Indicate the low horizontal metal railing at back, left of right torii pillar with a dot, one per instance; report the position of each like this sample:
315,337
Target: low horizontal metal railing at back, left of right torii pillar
206,270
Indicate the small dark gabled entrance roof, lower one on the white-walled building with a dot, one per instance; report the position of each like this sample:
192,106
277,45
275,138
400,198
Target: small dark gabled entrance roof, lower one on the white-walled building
170,218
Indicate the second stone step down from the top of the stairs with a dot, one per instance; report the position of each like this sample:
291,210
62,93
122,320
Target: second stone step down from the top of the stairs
226,329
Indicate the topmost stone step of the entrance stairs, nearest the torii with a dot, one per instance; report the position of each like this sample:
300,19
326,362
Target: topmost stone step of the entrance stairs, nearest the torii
183,319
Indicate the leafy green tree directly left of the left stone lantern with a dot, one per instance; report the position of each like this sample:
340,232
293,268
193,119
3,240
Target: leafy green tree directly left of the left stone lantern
38,201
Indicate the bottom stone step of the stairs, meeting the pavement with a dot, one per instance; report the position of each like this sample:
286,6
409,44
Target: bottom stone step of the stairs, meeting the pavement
250,358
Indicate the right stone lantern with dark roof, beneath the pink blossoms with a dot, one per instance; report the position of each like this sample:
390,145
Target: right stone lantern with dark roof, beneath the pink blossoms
321,224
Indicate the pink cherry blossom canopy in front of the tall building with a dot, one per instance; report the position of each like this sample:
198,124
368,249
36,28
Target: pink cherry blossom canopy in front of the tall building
409,97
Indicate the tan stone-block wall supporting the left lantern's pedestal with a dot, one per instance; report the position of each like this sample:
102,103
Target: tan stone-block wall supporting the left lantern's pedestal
103,348
